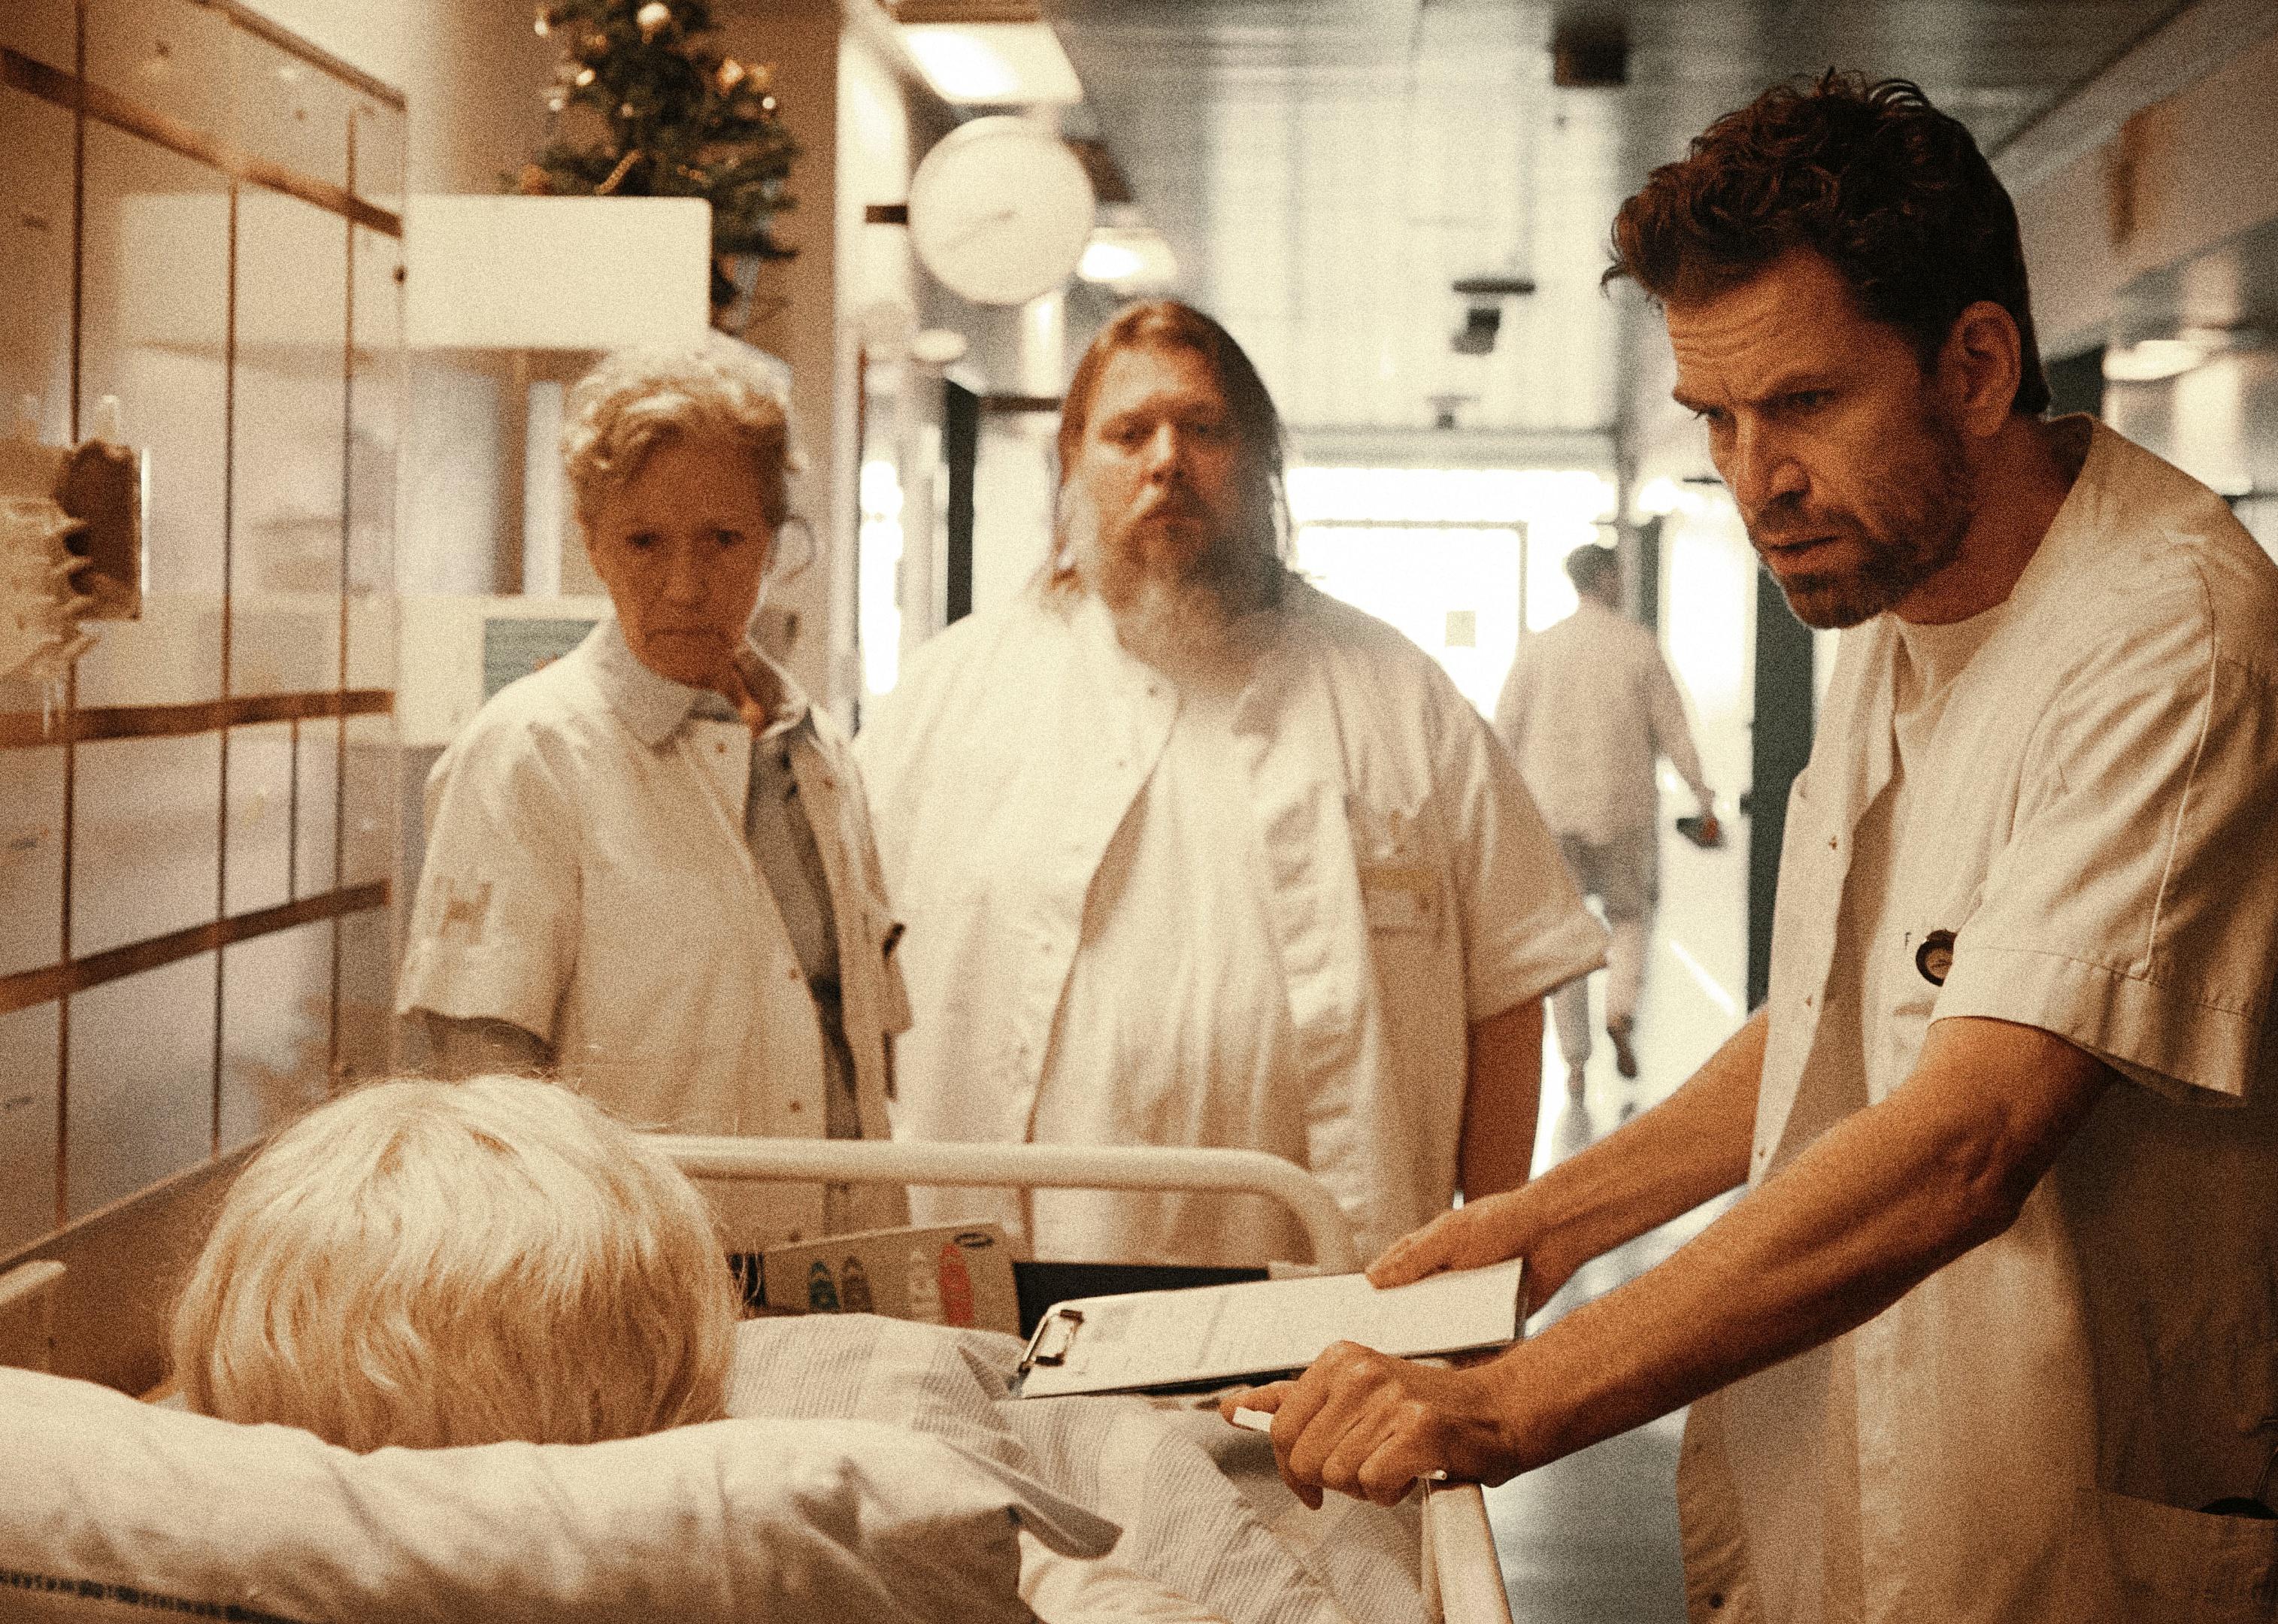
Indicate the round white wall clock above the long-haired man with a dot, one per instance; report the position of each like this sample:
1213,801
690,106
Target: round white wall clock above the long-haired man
1001,211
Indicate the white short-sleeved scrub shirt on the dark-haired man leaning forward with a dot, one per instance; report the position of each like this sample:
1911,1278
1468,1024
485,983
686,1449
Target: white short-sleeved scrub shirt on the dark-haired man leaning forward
2063,819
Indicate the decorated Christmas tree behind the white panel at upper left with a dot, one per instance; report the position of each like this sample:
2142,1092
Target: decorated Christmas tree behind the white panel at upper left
648,108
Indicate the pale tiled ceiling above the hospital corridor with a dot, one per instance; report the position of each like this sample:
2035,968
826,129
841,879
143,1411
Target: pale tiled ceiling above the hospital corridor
1327,167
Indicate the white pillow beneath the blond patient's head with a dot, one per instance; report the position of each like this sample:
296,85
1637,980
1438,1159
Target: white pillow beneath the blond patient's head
122,1511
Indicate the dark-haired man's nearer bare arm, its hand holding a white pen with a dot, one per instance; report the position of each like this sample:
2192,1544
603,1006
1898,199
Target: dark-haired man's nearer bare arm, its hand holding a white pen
1878,1204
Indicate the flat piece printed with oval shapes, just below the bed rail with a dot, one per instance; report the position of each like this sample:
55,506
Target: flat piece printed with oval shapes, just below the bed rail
956,1274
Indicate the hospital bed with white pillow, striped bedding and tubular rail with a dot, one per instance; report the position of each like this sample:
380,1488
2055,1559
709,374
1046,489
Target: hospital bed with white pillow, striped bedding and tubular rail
113,1509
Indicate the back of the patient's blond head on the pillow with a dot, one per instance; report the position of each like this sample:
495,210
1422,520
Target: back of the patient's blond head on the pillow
459,1263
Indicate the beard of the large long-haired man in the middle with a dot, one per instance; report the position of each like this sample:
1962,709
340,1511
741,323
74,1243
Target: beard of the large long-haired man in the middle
1174,605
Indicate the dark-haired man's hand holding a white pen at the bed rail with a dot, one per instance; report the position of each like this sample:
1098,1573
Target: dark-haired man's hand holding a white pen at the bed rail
1368,1425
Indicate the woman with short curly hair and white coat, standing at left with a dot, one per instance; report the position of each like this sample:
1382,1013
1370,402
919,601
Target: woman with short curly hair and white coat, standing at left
650,867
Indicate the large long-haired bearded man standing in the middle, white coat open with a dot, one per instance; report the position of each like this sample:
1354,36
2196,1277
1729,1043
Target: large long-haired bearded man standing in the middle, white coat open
1193,855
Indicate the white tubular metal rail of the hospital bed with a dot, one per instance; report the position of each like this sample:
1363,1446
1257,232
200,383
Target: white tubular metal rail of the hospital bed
1459,1568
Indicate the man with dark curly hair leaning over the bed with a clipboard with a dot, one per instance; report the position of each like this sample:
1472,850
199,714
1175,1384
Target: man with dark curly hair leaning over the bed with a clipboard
1994,1331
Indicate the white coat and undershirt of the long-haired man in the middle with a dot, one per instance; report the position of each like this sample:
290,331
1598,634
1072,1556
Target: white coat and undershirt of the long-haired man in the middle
1391,885
